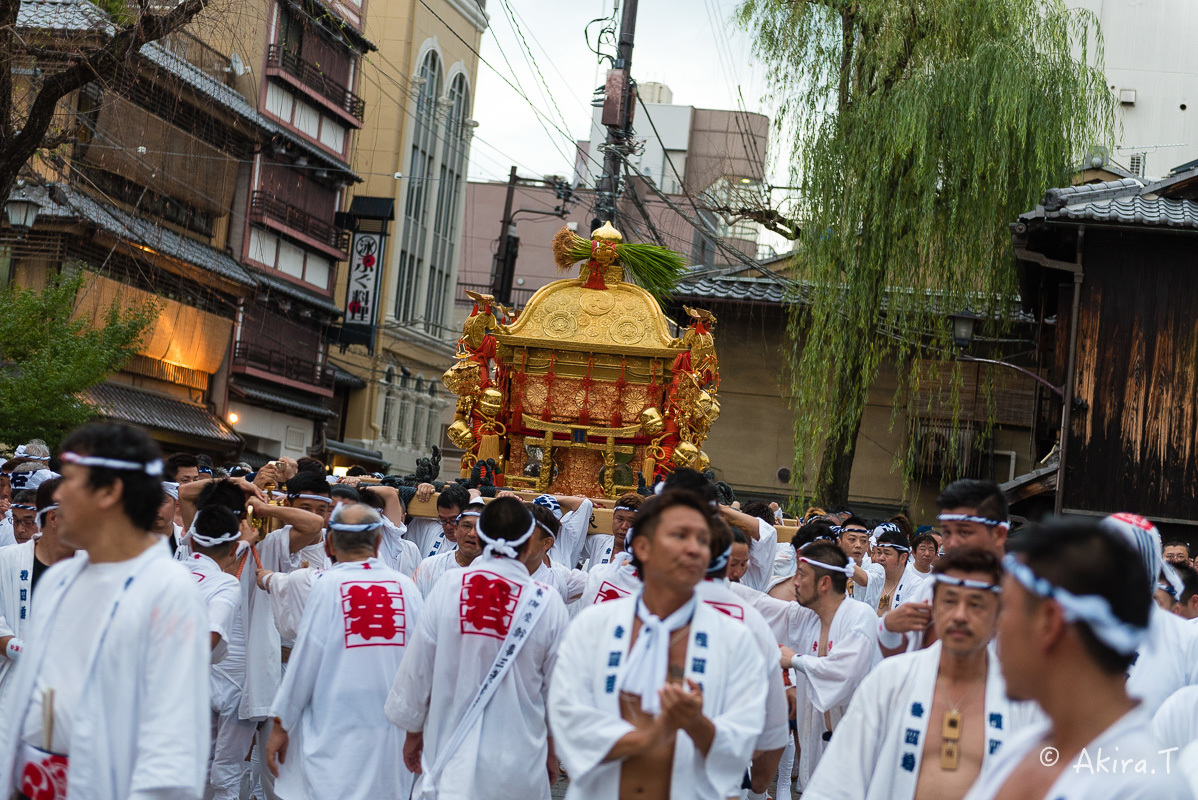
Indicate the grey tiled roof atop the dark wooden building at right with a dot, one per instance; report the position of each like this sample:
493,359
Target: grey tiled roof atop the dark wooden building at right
1118,203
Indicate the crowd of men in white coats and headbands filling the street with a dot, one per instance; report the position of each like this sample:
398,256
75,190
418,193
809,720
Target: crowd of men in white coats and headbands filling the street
172,631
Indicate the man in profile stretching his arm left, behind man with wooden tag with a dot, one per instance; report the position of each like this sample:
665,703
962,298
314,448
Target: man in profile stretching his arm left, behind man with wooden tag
830,641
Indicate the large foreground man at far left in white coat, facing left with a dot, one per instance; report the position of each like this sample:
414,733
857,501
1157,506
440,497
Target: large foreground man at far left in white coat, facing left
111,698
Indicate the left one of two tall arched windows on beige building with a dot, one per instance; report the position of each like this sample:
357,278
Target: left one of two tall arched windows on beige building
421,179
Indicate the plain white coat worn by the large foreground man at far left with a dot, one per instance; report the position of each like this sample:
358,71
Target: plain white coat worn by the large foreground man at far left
142,720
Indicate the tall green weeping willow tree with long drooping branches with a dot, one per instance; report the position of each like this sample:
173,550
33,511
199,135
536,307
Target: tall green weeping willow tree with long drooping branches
921,130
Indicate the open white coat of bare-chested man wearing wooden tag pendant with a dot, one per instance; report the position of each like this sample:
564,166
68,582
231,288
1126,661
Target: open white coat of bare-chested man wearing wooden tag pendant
879,746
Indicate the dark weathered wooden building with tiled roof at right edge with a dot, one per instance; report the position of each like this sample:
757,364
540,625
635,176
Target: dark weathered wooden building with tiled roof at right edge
1112,264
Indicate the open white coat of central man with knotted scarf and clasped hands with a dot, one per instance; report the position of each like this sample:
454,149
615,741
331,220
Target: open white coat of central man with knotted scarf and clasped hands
722,657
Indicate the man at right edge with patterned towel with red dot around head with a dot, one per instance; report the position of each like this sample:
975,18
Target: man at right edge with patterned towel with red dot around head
1169,657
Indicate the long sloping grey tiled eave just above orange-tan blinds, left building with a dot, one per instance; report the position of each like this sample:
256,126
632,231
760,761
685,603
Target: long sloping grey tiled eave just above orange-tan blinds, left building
69,204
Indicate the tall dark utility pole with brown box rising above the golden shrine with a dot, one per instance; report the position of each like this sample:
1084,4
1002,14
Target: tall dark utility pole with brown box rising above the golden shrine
620,104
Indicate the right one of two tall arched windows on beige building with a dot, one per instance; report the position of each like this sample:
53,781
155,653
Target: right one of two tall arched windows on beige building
445,223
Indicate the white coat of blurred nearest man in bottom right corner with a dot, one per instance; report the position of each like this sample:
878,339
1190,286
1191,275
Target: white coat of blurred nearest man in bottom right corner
1123,763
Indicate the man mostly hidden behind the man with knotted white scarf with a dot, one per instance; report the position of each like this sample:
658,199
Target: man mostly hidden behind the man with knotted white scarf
715,592
